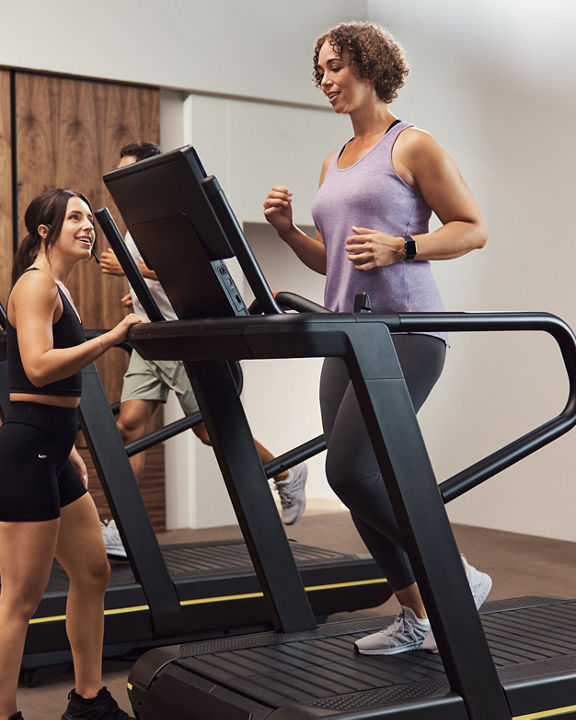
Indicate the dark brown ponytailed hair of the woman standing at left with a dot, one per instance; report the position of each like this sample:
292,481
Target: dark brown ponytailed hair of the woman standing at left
48,208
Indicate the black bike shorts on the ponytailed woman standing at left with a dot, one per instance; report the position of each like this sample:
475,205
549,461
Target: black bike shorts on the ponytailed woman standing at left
36,475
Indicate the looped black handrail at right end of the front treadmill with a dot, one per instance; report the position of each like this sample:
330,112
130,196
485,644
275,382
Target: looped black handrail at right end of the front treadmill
528,443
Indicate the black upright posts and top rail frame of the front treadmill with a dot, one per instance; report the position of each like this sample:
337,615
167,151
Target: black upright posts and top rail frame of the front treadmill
365,344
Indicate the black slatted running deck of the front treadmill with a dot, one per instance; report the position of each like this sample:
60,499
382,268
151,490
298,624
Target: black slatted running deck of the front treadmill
318,674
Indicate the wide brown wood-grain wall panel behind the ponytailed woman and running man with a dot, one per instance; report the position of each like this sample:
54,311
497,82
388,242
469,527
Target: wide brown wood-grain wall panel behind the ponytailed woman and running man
69,133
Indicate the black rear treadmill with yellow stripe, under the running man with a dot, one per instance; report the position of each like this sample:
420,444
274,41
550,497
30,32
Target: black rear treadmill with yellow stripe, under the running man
177,592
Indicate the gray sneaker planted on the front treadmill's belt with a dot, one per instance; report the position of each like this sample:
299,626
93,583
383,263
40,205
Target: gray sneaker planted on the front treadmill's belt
406,633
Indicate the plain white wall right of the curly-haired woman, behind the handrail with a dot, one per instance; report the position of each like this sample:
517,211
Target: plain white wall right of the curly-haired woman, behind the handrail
494,82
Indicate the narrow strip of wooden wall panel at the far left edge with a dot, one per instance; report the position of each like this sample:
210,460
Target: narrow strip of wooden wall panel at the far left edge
6,231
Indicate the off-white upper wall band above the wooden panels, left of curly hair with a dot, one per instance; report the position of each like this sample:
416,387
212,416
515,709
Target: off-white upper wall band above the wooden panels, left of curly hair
250,48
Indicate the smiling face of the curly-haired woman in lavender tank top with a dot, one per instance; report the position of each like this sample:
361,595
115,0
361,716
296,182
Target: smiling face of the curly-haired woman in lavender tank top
340,82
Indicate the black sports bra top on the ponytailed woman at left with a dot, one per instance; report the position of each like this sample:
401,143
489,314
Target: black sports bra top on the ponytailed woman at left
67,332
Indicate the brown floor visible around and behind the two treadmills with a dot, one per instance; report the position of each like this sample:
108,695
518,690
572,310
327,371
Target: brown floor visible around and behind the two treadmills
519,564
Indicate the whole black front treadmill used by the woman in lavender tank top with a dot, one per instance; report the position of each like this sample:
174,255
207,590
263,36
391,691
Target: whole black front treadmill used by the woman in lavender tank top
516,659
